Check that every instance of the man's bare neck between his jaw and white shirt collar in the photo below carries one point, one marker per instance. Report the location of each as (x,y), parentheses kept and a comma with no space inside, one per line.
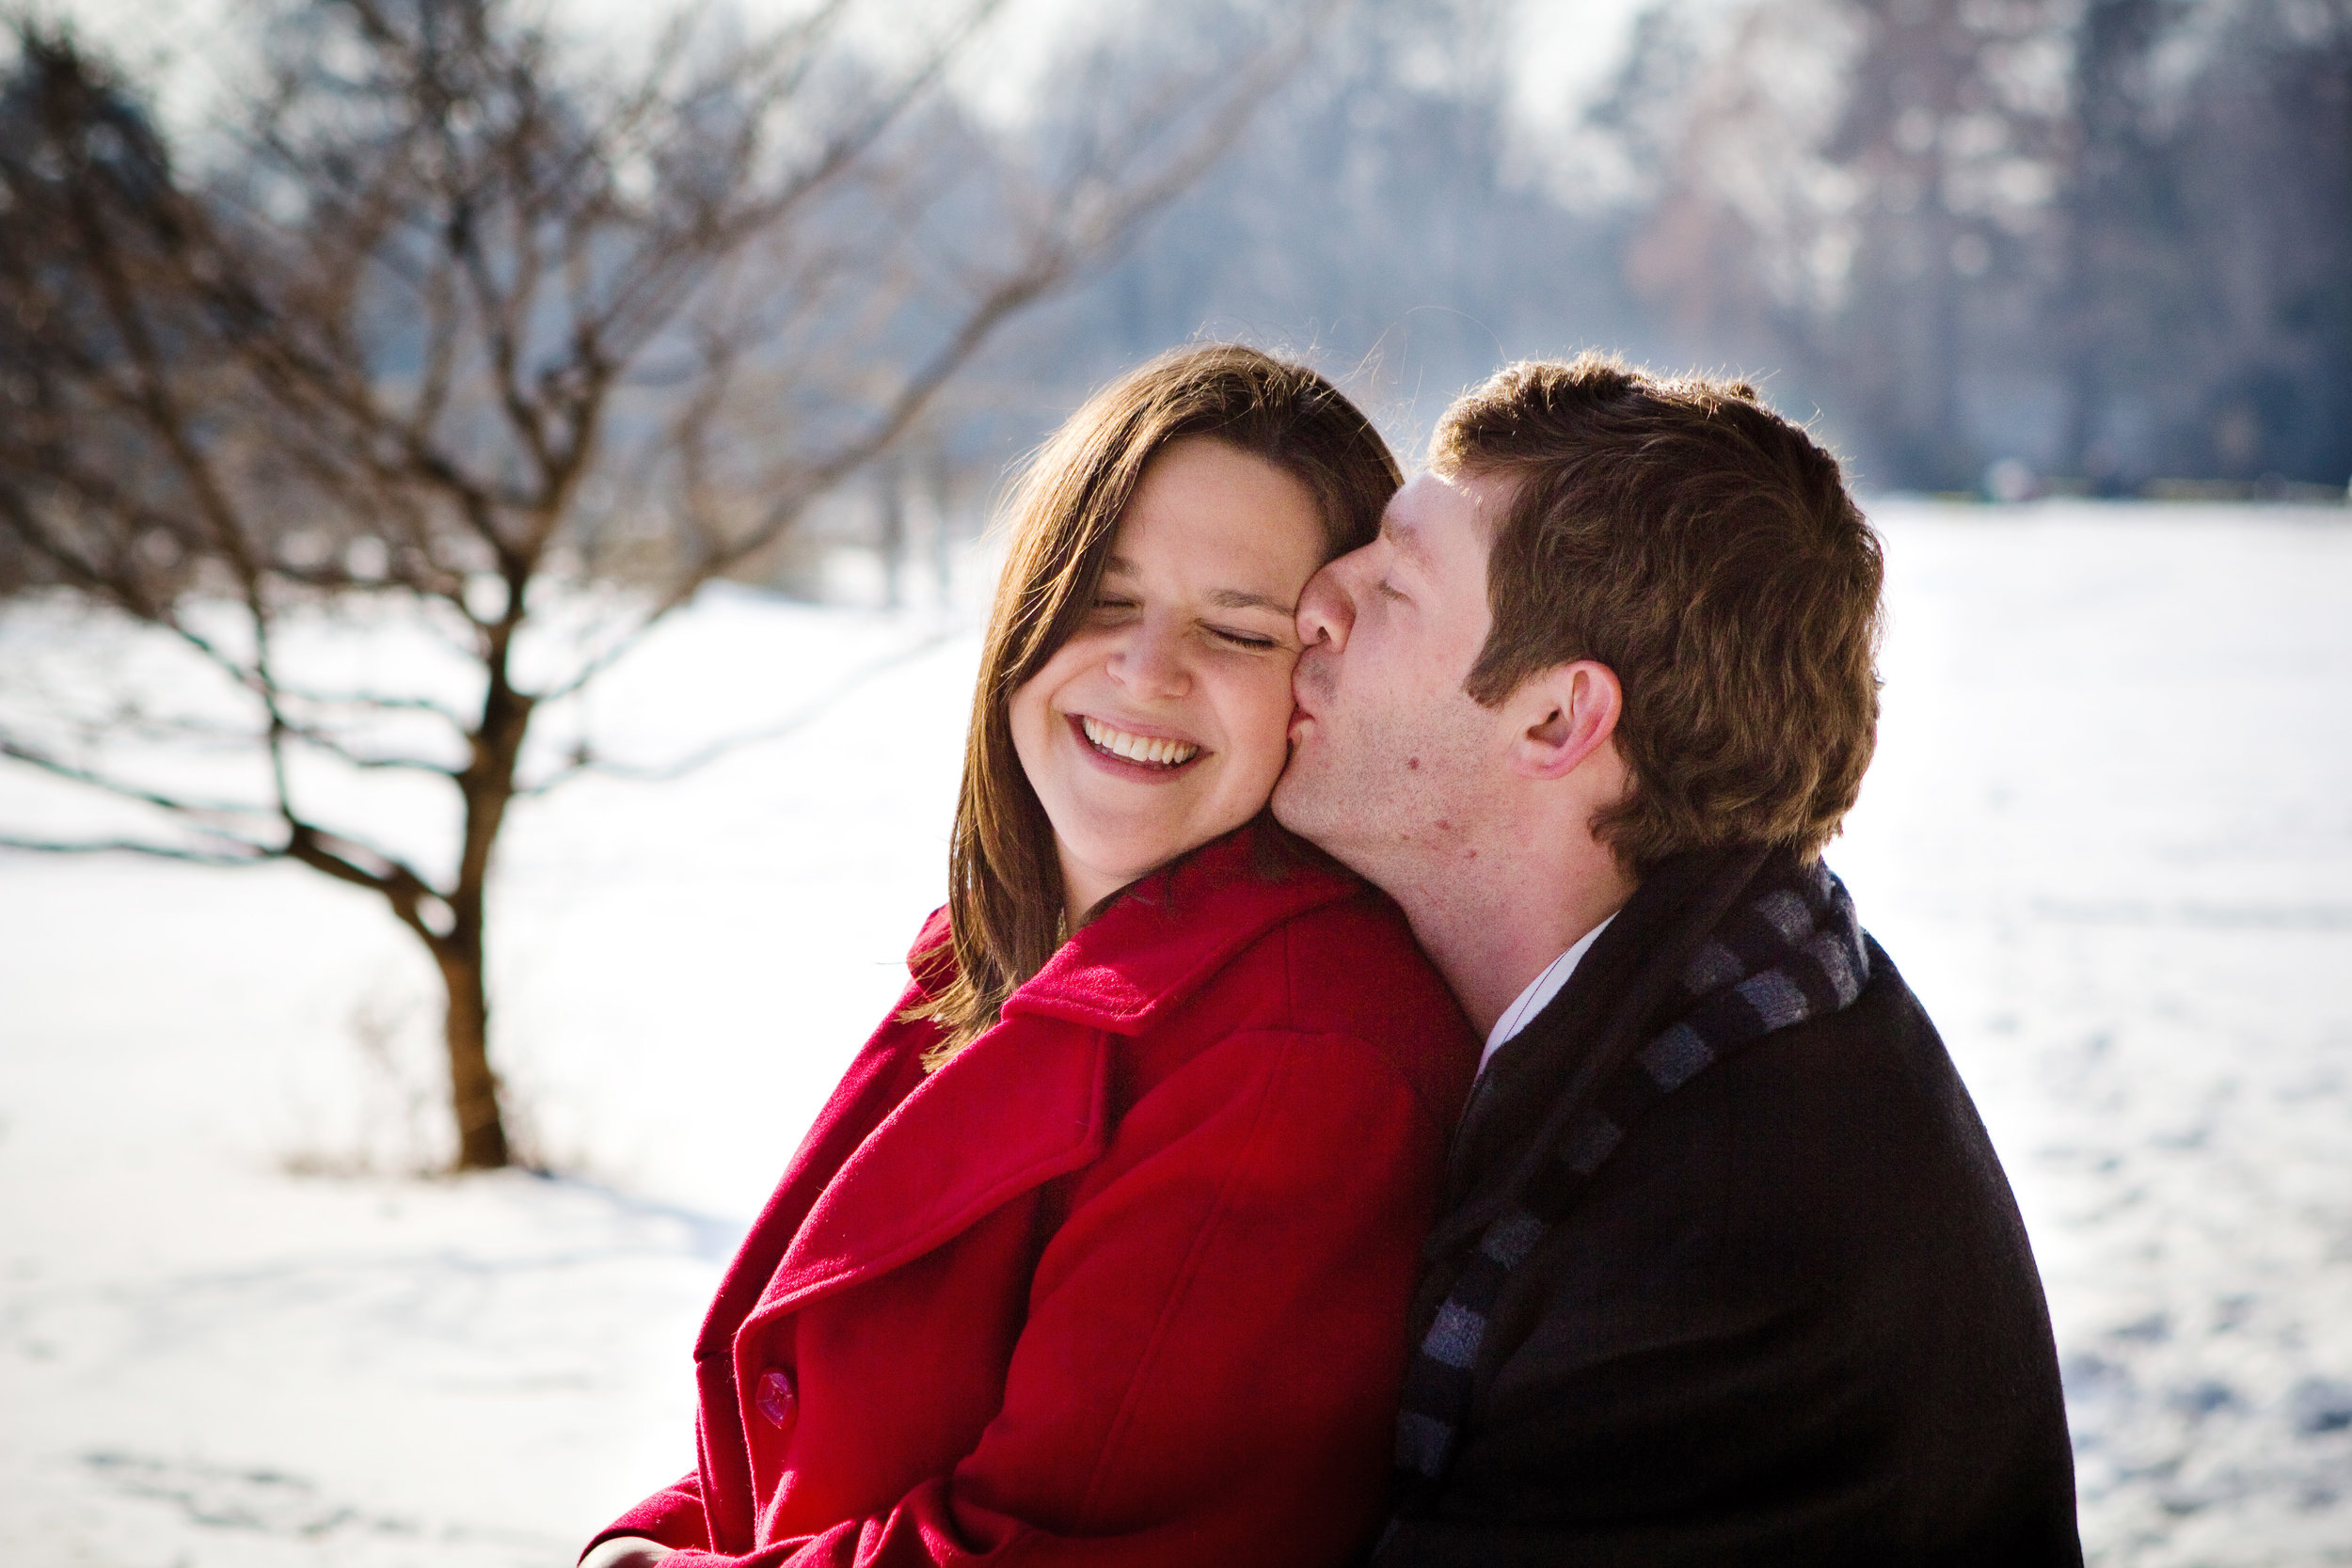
(1495,934)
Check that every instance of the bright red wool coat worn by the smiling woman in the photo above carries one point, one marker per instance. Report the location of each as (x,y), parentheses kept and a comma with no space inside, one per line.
(1125,1282)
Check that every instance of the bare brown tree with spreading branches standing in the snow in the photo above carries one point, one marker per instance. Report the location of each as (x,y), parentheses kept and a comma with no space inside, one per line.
(457,333)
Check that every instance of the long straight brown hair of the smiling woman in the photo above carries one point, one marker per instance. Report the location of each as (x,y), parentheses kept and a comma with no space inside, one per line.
(1005,897)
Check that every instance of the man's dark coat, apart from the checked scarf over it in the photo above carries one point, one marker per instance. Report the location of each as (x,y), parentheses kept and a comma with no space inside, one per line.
(1793,1318)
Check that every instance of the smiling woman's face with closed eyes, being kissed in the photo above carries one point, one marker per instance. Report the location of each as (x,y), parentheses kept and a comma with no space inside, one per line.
(1163,721)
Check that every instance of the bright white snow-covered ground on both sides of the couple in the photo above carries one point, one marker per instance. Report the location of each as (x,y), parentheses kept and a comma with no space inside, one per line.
(2109,838)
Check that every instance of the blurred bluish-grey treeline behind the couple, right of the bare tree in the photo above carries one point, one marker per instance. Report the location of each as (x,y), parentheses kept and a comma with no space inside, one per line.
(2094,246)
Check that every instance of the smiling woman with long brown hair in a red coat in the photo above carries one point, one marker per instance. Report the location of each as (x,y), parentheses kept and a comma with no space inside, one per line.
(1102,1249)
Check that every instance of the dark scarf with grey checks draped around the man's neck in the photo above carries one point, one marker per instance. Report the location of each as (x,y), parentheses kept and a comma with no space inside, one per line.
(1791,951)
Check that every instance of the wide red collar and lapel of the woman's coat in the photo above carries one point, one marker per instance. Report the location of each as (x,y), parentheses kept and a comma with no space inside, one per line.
(1027,1101)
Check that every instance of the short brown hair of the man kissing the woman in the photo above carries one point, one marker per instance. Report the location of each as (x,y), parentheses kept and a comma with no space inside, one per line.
(1704,549)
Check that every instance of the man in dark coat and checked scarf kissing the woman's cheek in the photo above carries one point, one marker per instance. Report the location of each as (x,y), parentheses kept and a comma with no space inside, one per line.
(1728,1271)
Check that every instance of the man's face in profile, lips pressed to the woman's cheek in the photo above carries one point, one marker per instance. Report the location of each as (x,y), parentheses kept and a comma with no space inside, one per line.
(1391,760)
